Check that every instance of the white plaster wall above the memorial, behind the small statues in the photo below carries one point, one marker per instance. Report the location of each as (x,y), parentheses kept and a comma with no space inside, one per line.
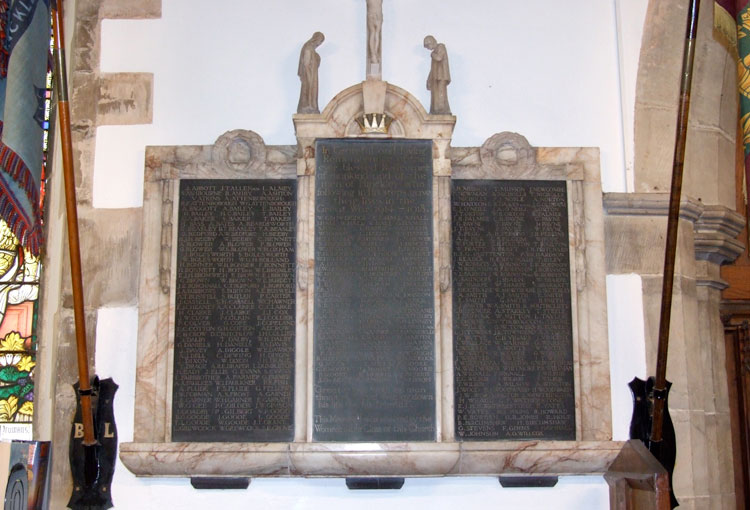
(546,69)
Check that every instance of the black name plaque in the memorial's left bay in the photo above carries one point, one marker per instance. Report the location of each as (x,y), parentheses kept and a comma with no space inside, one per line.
(235,311)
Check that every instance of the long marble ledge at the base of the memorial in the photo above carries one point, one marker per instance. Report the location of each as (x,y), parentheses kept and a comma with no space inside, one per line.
(549,458)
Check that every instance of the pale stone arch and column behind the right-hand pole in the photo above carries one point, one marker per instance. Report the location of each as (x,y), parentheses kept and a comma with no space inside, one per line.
(705,237)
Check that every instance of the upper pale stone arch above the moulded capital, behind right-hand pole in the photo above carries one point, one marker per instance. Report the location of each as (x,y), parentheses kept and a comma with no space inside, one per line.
(710,154)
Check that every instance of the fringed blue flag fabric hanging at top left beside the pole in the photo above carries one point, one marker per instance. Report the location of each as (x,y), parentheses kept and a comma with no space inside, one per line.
(24,58)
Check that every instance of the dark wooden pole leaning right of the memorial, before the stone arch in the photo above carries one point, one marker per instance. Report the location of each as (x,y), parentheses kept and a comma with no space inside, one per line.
(660,384)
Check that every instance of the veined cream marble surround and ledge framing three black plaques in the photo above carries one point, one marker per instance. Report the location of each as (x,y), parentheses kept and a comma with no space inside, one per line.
(242,154)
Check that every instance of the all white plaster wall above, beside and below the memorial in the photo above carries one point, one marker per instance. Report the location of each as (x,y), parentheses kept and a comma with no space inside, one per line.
(549,70)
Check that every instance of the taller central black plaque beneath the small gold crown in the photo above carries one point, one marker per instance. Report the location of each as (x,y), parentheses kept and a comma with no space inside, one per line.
(374,343)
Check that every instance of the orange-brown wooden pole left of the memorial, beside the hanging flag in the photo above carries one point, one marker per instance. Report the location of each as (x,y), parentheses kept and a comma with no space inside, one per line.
(84,385)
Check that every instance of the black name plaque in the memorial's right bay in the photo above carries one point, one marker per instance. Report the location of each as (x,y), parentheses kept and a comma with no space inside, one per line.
(512,325)
